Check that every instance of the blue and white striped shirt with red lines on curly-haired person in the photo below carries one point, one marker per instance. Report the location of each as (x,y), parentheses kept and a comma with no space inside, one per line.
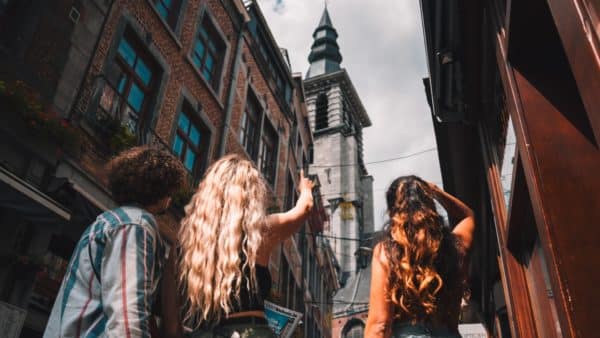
(109,285)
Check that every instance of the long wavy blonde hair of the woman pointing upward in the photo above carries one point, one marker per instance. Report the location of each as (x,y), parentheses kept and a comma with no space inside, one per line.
(223,223)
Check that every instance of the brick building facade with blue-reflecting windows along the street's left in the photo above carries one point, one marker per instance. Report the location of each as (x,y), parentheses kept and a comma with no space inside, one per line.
(200,78)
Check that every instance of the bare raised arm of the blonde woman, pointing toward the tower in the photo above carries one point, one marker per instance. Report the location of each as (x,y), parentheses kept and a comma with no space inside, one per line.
(285,224)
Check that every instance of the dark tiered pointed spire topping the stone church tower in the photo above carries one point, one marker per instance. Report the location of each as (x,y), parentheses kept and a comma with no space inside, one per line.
(325,54)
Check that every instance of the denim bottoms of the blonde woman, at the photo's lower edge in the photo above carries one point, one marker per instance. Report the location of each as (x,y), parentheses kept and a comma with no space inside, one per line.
(251,329)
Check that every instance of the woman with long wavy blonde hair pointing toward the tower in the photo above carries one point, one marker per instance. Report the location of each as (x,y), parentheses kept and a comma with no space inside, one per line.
(226,239)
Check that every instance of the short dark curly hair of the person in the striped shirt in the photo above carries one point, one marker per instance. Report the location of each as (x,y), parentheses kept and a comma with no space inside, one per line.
(144,175)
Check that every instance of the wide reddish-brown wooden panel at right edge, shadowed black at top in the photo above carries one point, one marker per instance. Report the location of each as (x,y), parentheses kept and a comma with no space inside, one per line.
(561,162)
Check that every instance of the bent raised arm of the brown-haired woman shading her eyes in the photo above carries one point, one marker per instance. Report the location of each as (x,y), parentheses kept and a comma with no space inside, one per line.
(458,210)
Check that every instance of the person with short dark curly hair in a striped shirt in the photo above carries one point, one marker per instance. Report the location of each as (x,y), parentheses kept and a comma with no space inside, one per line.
(111,280)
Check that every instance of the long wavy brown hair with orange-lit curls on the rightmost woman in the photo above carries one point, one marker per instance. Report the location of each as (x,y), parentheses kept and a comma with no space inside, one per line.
(422,252)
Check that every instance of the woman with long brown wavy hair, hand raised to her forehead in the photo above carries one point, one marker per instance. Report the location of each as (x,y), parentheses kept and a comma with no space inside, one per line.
(419,267)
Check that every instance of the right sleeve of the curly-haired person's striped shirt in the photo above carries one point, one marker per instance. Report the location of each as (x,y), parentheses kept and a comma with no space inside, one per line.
(128,280)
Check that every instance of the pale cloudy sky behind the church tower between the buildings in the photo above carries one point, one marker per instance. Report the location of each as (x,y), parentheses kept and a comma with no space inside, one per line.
(381,42)
